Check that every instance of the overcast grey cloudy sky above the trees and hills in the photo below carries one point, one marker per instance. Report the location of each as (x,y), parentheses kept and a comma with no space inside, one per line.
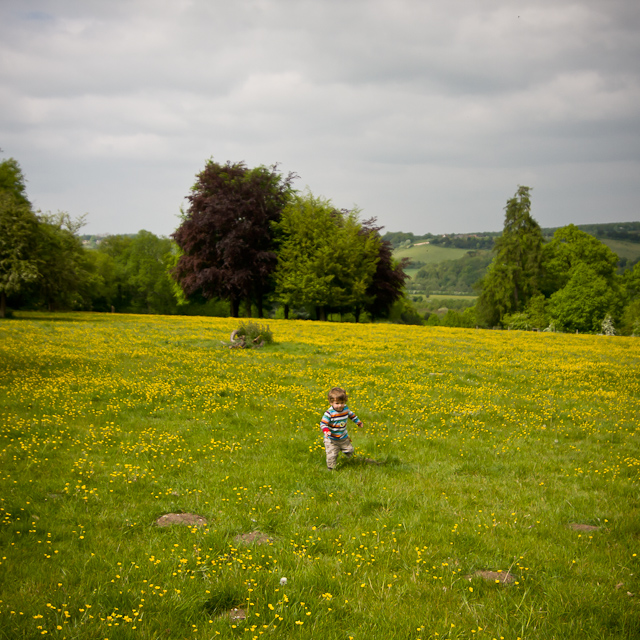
(427,114)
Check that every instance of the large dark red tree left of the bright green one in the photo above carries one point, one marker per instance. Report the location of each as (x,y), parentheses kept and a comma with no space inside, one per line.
(226,235)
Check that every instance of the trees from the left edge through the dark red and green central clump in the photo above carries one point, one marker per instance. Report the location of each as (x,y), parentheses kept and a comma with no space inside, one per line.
(247,244)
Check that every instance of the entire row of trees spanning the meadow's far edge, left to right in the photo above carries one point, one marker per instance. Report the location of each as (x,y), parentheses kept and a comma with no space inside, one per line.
(250,244)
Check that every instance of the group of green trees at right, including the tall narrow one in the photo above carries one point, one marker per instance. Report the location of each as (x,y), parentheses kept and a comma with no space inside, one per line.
(570,283)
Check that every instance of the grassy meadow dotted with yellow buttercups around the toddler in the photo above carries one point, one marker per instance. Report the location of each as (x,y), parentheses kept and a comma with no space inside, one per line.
(495,491)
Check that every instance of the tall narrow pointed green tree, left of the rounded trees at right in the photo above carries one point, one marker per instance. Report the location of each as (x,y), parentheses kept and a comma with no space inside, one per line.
(514,275)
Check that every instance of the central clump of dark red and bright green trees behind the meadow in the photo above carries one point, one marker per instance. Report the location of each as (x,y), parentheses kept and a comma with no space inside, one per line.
(249,237)
